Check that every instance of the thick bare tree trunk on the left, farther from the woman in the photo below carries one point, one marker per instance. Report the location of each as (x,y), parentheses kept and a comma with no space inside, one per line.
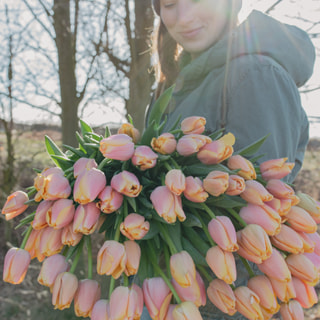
(68,83)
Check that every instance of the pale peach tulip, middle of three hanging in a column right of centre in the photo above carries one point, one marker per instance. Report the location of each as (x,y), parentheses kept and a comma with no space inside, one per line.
(222,264)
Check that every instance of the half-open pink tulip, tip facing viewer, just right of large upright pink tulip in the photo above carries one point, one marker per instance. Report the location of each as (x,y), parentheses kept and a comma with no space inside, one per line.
(126,183)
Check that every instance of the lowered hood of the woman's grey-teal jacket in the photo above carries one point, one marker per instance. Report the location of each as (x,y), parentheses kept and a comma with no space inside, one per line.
(288,45)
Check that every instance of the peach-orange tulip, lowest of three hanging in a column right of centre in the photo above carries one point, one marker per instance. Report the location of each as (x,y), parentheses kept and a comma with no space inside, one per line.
(222,296)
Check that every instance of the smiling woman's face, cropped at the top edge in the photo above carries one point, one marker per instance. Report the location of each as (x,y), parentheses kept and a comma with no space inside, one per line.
(195,24)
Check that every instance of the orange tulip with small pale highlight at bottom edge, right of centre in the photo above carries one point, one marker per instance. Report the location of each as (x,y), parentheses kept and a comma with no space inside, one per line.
(247,303)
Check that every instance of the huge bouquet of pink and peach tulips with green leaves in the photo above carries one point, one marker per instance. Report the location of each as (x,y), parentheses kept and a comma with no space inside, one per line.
(177,209)
